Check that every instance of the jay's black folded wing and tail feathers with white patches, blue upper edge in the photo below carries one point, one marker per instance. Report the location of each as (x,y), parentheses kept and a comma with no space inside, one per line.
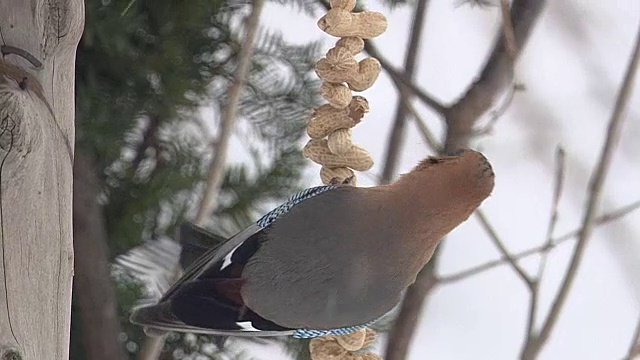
(206,299)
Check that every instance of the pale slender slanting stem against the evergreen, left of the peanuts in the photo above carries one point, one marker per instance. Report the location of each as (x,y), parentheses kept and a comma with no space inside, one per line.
(153,346)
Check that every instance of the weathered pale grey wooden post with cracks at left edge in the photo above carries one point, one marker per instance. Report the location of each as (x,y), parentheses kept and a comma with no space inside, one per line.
(38,40)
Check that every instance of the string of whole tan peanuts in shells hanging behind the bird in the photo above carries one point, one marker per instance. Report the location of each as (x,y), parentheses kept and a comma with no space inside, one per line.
(330,131)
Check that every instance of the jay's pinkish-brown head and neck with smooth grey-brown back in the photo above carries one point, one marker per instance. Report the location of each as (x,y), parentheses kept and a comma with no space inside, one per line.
(346,256)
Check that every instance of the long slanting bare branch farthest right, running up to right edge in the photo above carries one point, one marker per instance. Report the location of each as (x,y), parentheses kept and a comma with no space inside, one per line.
(535,344)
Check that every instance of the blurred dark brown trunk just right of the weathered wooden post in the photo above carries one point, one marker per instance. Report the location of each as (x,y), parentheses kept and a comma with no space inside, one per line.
(93,289)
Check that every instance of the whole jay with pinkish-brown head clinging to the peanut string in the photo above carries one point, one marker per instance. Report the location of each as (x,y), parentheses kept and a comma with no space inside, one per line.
(331,260)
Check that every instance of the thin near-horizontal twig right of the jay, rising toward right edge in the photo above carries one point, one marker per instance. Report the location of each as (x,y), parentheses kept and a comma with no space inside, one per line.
(601,220)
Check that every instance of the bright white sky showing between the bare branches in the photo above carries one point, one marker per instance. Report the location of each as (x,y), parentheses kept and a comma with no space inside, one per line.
(572,68)
